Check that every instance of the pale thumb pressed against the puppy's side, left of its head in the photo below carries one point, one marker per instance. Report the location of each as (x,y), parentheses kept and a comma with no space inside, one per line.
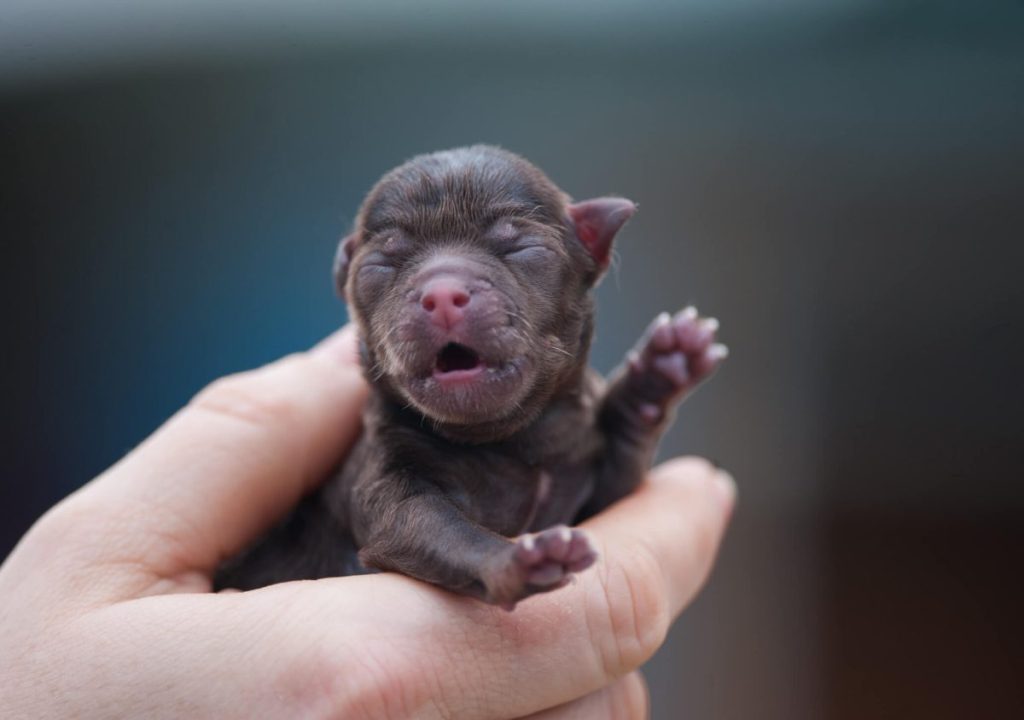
(224,469)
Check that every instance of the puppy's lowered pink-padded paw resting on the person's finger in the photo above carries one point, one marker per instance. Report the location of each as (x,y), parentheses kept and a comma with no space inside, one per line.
(539,563)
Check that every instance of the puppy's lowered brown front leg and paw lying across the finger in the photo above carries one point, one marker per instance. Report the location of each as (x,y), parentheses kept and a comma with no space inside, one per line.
(429,538)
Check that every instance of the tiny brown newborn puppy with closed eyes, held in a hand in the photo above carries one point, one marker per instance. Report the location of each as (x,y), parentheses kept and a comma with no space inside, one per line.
(470,276)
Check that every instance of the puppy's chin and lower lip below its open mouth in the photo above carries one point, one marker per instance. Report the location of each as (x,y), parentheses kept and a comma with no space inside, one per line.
(466,393)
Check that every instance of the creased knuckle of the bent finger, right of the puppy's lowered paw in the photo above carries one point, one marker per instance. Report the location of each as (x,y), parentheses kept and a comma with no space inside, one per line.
(638,613)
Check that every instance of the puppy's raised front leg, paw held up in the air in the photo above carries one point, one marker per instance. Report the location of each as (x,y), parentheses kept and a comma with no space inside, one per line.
(671,359)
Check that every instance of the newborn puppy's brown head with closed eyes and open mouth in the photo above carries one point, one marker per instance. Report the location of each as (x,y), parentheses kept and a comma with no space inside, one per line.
(468,274)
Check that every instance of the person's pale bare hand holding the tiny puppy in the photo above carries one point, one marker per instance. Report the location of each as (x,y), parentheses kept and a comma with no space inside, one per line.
(106,608)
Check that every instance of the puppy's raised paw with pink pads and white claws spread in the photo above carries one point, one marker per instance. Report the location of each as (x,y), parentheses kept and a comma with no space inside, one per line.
(675,354)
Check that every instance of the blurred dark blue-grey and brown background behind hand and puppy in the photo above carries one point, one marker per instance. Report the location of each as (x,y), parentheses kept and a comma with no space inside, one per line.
(840,182)
